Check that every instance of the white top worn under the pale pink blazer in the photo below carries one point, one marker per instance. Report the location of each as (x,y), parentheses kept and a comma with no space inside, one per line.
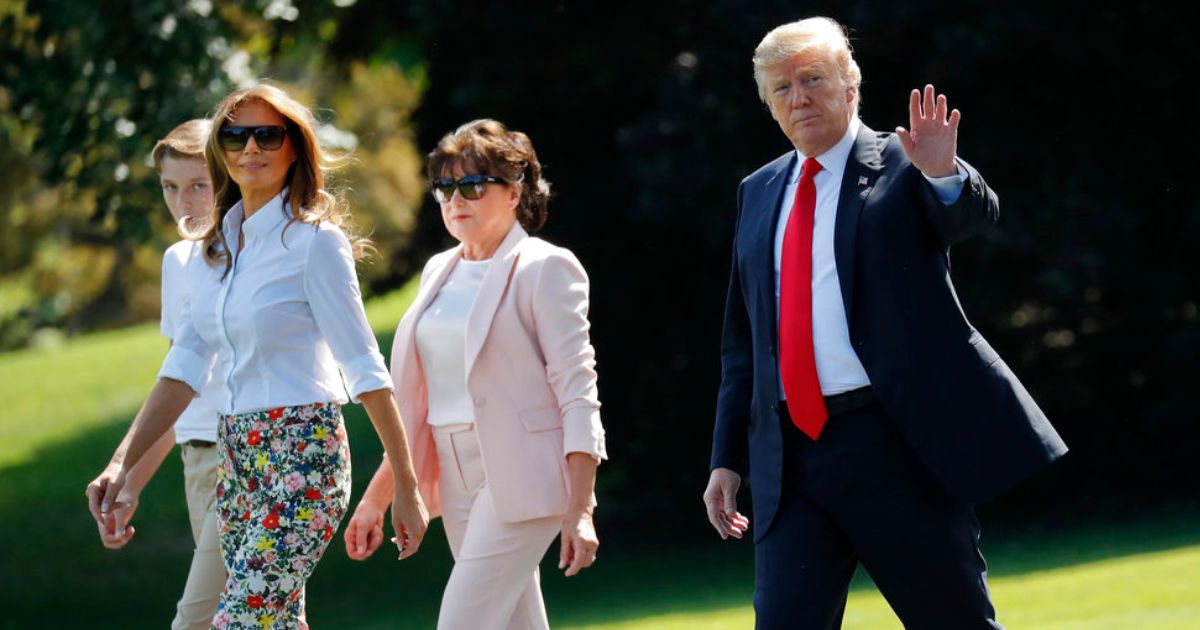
(441,345)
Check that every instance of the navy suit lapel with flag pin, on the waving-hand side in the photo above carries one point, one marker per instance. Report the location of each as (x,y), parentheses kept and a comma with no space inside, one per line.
(862,171)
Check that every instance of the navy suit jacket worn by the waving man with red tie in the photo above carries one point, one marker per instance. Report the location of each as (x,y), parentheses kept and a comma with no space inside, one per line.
(950,394)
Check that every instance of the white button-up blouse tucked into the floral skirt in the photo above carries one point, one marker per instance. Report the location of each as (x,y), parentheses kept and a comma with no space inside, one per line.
(283,322)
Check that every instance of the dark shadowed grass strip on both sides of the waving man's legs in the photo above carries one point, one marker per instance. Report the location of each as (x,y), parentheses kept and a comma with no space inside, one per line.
(645,580)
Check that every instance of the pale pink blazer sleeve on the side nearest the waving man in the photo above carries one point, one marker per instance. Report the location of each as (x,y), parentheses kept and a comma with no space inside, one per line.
(561,313)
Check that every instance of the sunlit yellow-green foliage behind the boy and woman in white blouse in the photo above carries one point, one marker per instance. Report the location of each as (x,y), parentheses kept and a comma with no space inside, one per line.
(89,88)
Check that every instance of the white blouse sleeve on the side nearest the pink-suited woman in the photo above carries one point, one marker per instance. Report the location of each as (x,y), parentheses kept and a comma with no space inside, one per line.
(337,303)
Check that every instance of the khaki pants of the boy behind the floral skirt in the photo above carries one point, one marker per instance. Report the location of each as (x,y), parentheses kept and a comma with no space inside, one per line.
(207,577)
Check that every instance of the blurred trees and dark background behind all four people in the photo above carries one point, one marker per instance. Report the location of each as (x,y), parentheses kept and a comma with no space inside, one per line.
(646,119)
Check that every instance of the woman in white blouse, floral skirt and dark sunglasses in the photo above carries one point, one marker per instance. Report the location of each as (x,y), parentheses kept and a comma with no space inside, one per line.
(275,302)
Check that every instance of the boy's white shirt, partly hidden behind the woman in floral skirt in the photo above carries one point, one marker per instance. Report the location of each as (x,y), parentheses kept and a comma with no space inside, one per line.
(200,421)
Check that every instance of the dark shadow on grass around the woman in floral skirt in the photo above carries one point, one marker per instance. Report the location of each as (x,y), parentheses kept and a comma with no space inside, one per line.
(56,574)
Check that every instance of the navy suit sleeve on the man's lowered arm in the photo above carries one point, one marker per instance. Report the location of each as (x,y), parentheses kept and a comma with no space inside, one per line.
(731,430)
